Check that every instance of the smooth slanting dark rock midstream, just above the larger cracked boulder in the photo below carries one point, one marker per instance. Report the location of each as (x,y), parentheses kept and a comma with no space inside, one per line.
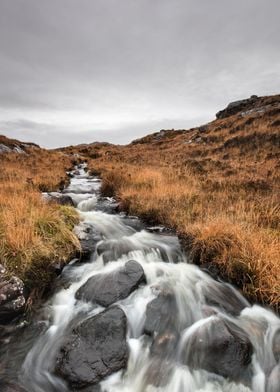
(105,289)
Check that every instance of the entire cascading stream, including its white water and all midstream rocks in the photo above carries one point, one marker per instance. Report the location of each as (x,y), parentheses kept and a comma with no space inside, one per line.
(132,315)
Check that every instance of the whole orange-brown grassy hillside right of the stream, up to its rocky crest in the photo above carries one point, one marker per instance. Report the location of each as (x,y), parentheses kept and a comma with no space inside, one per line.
(217,185)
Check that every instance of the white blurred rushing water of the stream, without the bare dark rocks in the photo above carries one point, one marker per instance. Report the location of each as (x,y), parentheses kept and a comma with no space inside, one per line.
(188,284)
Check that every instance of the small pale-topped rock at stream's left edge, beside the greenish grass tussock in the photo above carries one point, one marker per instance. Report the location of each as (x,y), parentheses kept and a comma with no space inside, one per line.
(88,237)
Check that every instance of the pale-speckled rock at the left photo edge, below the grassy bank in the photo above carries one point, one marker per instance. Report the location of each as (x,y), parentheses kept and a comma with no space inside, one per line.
(12,301)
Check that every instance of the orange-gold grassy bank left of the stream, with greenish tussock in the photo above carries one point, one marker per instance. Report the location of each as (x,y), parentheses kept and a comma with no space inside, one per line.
(34,235)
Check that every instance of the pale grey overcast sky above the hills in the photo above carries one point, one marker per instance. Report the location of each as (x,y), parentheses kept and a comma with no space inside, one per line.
(74,71)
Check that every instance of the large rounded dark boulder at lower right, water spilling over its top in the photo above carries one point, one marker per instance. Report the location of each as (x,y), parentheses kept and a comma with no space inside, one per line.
(219,347)
